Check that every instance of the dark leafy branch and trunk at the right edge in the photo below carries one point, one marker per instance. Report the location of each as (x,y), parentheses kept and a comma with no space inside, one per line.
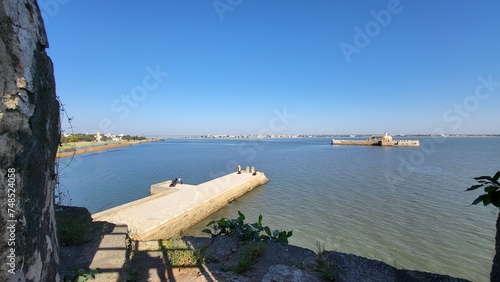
(491,196)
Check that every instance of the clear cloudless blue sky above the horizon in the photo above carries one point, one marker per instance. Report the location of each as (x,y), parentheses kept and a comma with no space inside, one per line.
(184,67)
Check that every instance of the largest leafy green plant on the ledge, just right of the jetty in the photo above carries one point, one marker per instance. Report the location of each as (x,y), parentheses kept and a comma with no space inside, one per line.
(247,232)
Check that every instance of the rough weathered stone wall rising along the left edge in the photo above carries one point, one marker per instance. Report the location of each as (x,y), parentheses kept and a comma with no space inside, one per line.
(29,135)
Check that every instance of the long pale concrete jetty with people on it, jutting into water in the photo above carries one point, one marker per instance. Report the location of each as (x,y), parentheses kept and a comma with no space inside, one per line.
(169,211)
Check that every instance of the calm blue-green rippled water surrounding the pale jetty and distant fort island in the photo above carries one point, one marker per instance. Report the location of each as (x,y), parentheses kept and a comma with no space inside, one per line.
(404,206)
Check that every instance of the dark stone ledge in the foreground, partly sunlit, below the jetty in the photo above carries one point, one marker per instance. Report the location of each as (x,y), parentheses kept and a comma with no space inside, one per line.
(222,258)
